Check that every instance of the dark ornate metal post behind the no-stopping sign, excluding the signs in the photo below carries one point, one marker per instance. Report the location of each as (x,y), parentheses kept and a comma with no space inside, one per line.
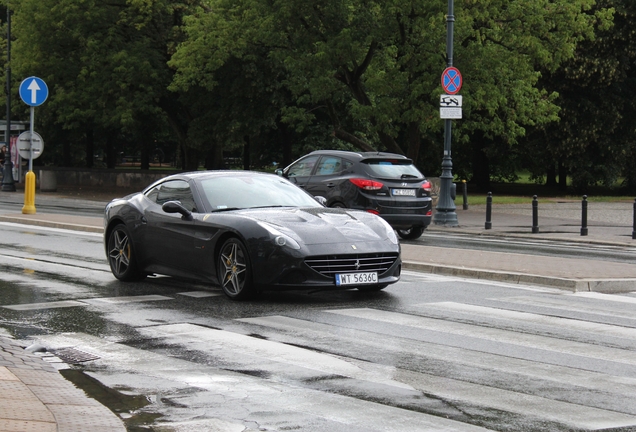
(445,211)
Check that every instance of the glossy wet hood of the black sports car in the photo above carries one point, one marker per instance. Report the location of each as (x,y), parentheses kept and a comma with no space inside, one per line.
(317,225)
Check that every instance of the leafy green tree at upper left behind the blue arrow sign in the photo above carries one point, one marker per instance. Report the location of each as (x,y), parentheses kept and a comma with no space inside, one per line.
(105,64)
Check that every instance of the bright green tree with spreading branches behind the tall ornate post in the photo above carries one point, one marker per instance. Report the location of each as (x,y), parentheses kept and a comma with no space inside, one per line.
(373,68)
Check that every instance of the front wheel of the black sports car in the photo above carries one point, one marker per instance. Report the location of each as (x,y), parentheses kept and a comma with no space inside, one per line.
(234,270)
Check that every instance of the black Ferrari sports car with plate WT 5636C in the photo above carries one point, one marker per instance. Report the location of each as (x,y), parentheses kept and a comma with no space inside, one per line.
(247,232)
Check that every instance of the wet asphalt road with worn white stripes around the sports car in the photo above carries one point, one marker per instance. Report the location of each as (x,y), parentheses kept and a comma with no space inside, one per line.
(429,353)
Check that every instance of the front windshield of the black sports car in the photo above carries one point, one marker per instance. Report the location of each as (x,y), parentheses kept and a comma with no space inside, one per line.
(249,191)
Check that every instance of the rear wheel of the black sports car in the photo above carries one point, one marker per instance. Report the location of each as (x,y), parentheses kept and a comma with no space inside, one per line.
(121,255)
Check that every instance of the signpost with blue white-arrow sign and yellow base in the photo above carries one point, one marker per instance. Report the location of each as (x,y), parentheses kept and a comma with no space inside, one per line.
(33,92)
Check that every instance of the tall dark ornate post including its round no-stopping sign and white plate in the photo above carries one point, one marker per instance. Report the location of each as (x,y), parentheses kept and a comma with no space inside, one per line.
(450,108)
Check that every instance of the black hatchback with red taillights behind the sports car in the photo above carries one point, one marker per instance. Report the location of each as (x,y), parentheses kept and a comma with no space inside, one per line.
(385,184)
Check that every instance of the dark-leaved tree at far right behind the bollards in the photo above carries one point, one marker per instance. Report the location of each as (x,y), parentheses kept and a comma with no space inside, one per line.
(593,142)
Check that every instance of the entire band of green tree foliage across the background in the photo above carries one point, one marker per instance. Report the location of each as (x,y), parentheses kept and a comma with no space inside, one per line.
(273,79)
